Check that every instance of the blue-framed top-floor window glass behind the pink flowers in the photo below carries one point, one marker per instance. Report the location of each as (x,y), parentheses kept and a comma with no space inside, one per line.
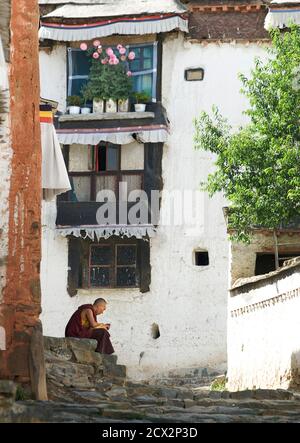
(143,68)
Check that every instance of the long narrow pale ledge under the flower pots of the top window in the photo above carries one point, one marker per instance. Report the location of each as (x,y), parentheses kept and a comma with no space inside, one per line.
(105,116)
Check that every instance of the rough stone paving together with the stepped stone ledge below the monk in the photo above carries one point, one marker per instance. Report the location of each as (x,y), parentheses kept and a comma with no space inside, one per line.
(85,387)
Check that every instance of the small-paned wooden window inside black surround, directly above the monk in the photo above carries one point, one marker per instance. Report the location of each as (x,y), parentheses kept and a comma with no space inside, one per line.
(113,265)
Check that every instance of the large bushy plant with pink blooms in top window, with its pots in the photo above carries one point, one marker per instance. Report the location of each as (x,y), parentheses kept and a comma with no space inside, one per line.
(110,82)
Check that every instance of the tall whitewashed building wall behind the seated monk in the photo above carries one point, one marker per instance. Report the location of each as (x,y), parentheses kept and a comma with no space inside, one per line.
(188,303)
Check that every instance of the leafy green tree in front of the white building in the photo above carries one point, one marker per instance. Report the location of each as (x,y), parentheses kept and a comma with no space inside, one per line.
(258,167)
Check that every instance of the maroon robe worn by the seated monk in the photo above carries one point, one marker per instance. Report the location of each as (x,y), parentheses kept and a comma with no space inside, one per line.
(75,329)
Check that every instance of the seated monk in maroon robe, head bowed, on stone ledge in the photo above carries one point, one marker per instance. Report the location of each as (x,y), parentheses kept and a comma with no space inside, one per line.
(83,324)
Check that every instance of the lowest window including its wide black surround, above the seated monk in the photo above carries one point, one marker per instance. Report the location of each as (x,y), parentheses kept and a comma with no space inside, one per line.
(112,263)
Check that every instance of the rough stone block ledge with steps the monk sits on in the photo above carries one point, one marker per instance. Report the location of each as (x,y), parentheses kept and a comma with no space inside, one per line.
(73,363)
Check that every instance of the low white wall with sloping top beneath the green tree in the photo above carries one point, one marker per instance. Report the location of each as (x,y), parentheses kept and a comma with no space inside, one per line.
(263,331)
